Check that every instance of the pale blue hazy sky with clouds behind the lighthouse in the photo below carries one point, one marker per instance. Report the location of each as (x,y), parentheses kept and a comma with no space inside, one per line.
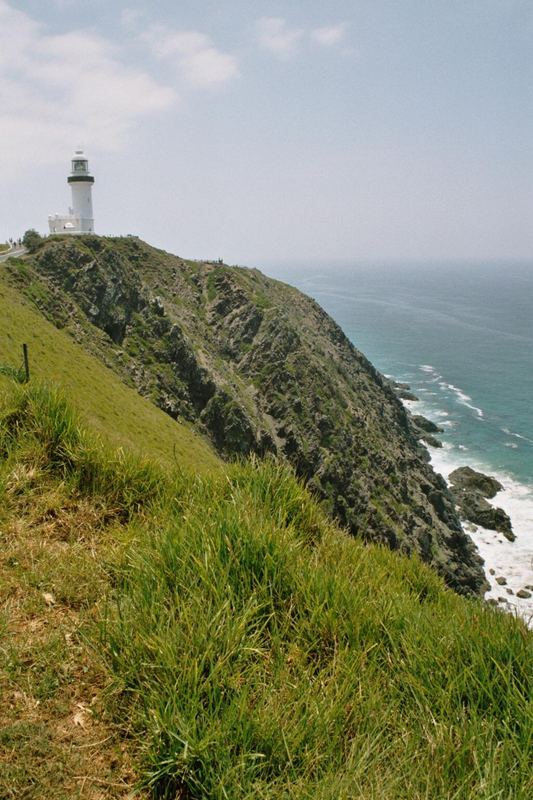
(264,131)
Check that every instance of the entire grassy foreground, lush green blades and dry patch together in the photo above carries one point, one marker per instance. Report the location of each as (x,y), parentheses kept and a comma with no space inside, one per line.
(249,649)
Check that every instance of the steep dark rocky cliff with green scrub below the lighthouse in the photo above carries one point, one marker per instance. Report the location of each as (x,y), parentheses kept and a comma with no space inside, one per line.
(260,368)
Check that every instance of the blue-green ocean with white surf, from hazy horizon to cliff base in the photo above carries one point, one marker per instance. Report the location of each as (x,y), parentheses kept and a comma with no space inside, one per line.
(461,335)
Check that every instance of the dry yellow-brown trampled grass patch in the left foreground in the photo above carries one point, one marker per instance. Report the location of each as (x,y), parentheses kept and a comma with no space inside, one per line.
(56,740)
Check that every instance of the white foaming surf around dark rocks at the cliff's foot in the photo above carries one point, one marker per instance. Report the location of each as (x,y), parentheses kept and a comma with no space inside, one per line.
(510,560)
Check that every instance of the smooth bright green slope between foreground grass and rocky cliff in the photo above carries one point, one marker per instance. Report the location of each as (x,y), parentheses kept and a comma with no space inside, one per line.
(117,413)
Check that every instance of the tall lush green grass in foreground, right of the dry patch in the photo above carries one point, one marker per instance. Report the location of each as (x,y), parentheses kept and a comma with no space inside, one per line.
(292,662)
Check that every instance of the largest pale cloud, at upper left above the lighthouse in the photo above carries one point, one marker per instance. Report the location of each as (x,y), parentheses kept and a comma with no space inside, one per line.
(61,90)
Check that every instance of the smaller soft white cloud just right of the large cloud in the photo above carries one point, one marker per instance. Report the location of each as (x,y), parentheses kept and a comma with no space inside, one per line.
(193,54)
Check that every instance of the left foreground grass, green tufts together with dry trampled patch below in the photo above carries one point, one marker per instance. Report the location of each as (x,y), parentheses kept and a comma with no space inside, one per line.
(63,504)
